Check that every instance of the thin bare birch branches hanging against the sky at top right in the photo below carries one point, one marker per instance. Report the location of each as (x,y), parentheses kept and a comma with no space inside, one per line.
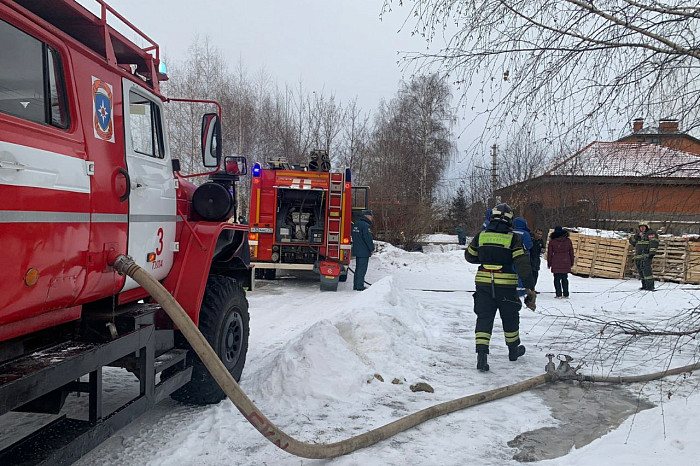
(574,67)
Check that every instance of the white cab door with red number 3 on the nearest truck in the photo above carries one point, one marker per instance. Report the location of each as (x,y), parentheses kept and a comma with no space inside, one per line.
(152,208)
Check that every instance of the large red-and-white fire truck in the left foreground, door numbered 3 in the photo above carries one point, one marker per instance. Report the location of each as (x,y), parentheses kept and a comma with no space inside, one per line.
(86,176)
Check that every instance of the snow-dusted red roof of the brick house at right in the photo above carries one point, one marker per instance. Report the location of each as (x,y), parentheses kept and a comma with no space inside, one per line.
(629,159)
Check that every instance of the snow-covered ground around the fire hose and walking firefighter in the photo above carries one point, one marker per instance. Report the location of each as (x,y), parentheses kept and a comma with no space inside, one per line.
(313,358)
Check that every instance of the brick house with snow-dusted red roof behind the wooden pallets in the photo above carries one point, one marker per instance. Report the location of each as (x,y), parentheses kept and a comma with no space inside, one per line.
(612,185)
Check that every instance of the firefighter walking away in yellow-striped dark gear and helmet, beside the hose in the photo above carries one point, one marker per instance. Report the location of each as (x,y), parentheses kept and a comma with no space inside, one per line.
(497,249)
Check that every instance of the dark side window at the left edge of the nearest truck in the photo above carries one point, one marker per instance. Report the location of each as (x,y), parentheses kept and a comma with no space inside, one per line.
(32,85)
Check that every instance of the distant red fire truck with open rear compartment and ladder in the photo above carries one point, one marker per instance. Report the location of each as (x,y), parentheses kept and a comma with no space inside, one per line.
(300,219)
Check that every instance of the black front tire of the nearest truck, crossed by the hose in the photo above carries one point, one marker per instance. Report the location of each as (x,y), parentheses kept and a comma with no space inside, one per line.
(224,322)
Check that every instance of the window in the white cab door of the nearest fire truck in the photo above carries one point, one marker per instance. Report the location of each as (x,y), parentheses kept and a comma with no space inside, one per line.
(145,126)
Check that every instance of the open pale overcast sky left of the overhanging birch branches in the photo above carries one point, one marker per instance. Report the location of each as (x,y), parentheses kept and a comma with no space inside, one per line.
(335,46)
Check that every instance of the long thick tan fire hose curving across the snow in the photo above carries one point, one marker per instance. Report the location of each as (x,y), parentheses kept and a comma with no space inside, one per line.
(126,266)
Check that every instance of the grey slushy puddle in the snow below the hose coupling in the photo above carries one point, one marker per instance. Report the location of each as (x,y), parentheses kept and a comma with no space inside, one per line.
(585,413)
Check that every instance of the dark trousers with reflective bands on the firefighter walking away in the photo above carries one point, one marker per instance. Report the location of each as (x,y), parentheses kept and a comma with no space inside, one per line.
(486,303)
